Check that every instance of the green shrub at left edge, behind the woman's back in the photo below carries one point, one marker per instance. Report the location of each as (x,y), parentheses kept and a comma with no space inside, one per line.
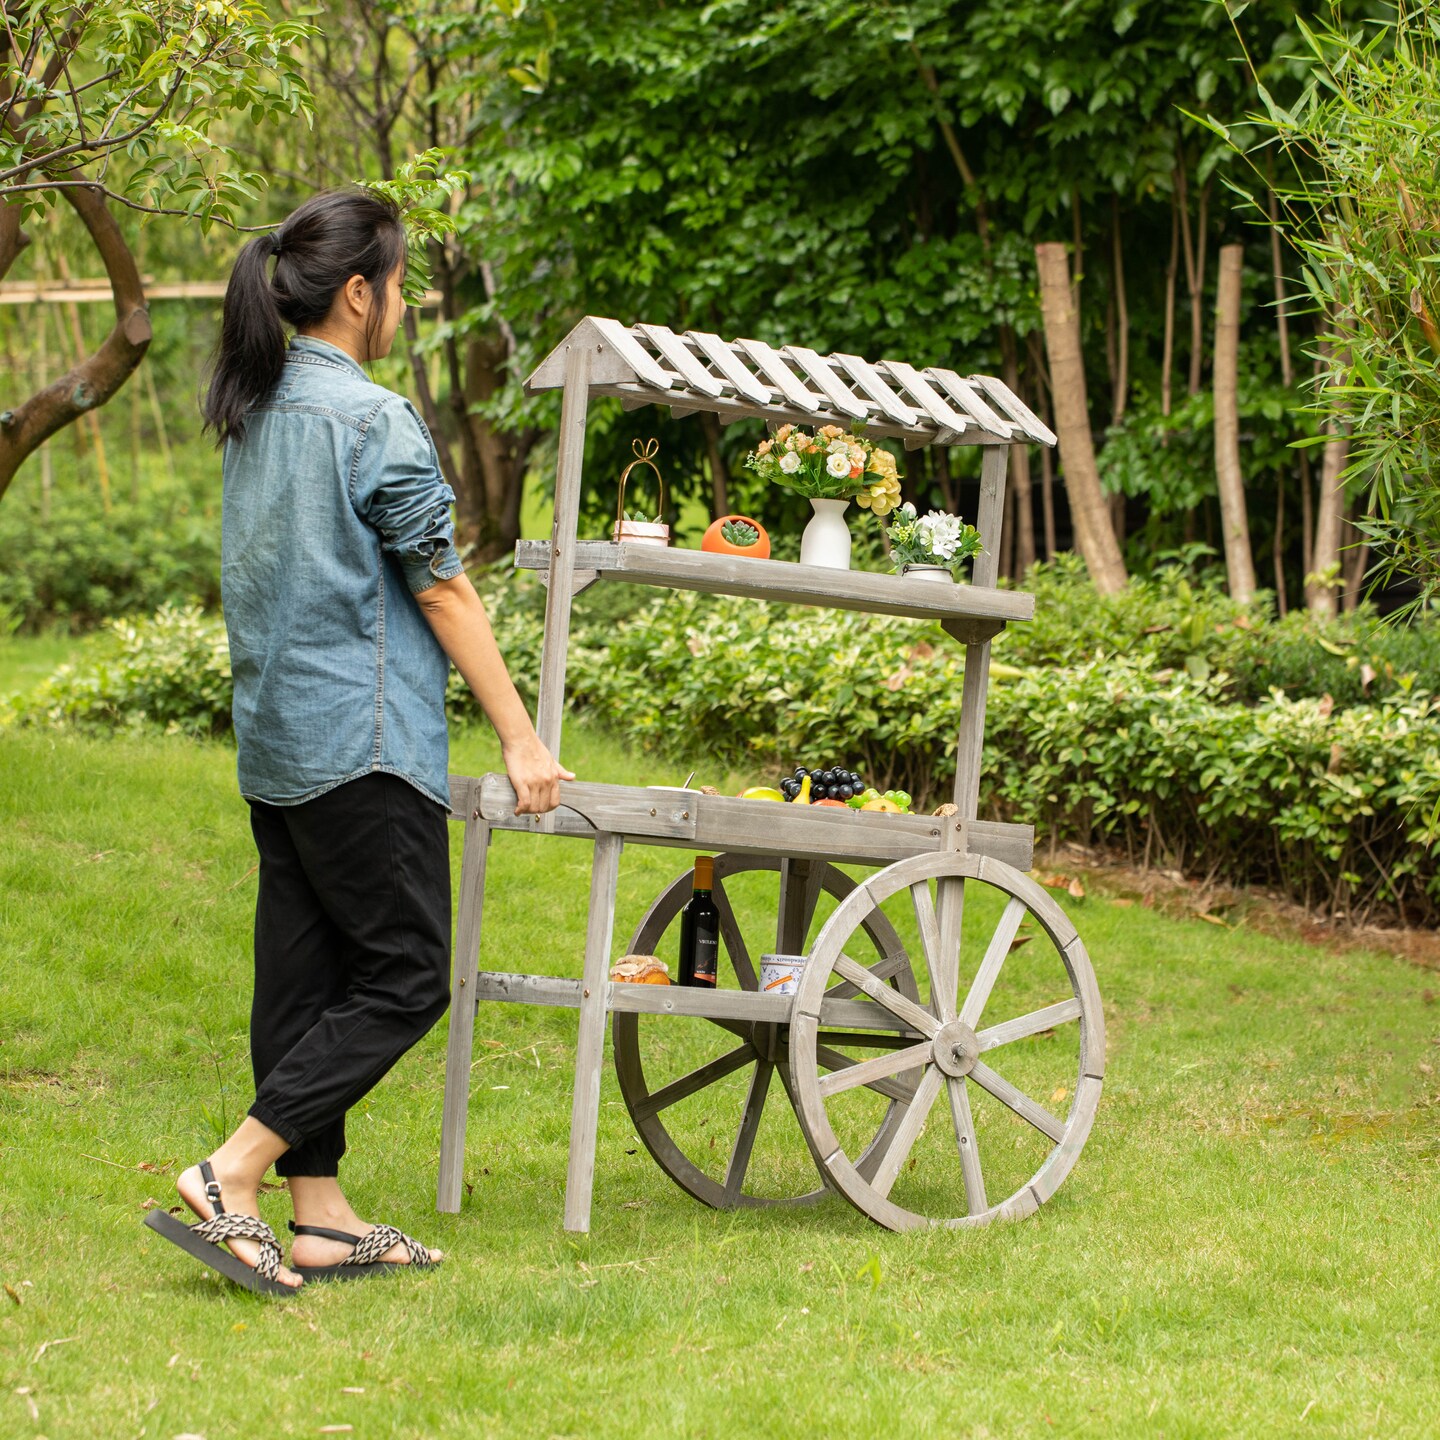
(83,567)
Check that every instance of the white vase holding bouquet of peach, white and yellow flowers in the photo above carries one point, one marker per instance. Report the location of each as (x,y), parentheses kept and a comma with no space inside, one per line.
(830,469)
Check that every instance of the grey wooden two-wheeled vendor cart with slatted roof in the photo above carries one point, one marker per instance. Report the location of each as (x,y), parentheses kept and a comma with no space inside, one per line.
(862,990)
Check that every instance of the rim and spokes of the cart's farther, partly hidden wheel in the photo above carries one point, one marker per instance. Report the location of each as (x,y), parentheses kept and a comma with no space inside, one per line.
(762,1048)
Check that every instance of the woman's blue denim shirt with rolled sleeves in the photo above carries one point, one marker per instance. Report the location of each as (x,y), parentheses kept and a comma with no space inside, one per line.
(335,516)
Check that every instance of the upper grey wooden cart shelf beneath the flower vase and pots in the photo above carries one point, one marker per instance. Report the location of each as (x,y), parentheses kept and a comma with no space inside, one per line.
(971,613)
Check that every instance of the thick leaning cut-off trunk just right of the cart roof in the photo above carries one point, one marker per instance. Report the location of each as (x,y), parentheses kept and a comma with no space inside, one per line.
(1088,503)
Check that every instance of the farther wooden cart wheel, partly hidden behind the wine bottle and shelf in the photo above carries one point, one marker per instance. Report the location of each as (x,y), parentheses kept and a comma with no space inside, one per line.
(731,1068)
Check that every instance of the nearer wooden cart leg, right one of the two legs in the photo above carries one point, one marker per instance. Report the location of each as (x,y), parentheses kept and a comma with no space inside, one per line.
(590,1048)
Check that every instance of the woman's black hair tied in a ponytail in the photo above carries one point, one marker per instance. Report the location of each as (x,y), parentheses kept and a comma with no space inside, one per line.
(318,250)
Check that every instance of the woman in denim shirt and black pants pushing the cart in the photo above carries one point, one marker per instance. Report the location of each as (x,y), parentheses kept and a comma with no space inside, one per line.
(346,604)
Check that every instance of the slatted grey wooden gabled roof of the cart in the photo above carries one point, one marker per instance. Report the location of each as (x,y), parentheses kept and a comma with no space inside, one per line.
(735,379)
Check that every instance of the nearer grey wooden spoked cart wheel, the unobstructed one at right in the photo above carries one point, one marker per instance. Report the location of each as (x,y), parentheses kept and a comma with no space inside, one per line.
(928,1170)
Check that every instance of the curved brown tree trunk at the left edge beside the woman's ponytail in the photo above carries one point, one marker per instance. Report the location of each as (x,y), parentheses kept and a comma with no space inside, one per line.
(97,377)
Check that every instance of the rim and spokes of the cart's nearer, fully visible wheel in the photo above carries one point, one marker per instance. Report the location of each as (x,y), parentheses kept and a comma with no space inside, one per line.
(948,1048)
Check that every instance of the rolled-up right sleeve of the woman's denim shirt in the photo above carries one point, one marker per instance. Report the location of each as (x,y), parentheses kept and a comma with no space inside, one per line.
(398,489)
